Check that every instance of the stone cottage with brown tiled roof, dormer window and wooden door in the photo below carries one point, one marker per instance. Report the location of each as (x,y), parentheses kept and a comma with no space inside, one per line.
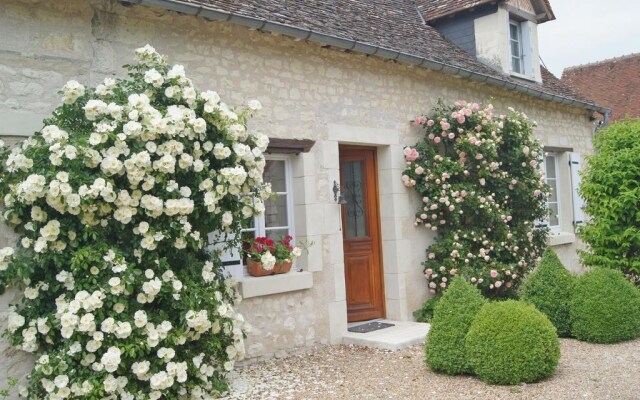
(339,82)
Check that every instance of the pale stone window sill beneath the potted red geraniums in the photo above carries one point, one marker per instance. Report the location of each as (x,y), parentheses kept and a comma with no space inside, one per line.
(252,286)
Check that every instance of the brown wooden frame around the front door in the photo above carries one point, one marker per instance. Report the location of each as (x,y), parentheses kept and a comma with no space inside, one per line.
(375,216)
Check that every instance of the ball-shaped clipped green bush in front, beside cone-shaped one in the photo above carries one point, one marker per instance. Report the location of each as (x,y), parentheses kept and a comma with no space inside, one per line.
(512,342)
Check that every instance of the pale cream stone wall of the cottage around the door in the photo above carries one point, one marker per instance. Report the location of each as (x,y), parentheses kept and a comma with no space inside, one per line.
(305,91)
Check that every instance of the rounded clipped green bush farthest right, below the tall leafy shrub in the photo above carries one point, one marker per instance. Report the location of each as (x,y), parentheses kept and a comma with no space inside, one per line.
(605,308)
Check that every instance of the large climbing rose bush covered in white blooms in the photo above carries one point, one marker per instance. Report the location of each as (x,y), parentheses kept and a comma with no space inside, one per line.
(112,200)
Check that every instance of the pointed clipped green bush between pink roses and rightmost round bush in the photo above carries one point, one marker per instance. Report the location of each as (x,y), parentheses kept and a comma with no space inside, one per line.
(549,288)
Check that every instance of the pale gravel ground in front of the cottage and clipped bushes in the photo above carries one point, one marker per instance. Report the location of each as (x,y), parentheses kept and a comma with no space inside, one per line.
(586,371)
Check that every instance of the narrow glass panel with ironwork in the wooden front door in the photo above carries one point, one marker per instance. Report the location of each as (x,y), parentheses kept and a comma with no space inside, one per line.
(353,188)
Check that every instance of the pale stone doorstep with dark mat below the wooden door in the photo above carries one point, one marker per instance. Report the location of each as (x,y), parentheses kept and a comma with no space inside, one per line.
(403,334)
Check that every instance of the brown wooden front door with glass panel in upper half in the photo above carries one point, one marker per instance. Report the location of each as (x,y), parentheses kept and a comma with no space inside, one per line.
(361,233)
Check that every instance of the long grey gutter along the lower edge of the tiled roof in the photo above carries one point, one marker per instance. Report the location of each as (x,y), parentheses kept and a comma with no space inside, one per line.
(357,46)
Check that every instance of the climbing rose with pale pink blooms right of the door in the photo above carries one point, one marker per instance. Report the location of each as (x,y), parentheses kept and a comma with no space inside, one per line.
(480,184)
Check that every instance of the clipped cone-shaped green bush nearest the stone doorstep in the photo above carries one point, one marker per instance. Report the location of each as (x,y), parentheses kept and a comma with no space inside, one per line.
(453,315)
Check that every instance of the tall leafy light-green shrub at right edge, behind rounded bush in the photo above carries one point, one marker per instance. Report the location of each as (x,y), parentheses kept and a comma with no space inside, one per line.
(611,190)
